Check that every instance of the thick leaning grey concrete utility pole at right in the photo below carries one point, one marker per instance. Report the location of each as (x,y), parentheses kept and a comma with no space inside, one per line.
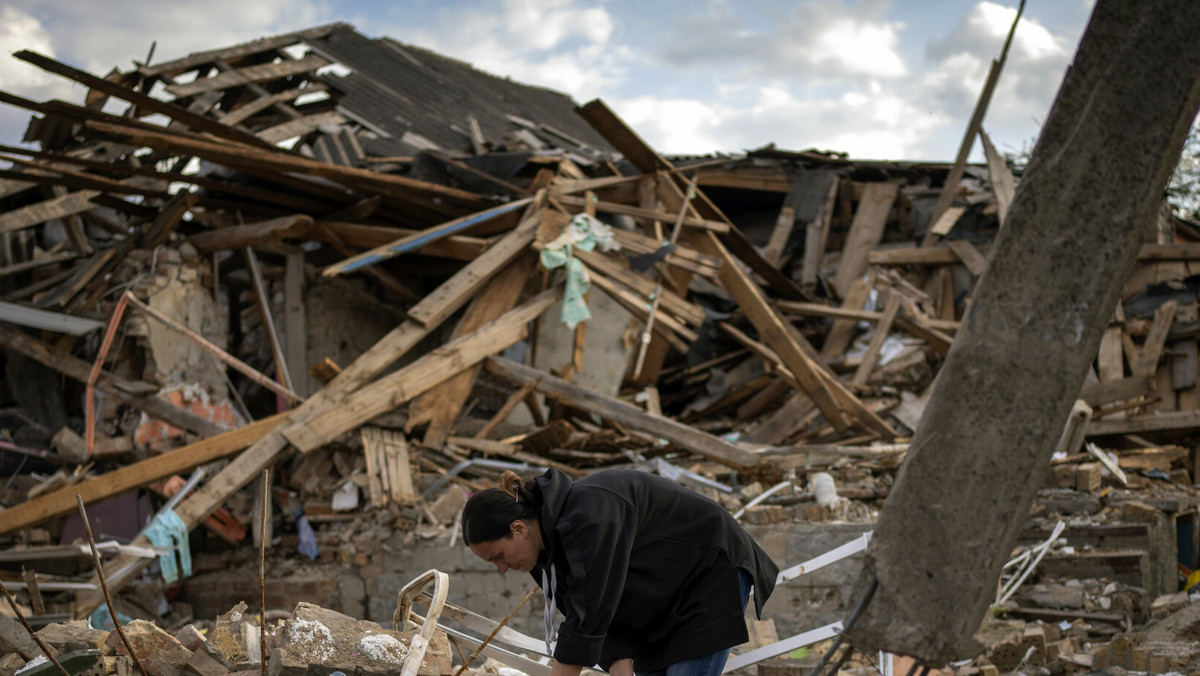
(1057,271)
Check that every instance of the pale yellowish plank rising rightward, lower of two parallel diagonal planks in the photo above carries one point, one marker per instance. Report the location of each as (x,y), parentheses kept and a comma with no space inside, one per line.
(430,370)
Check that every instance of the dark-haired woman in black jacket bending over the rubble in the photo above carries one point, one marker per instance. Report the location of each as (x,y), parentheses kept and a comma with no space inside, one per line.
(650,577)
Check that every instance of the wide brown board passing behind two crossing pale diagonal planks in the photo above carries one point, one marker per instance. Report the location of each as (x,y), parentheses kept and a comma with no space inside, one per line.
(440,408)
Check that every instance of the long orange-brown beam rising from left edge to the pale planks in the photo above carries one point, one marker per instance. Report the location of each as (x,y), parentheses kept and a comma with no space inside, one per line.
(131,477)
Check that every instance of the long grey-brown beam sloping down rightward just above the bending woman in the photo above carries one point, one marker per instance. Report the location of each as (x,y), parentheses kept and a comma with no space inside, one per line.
(626,414)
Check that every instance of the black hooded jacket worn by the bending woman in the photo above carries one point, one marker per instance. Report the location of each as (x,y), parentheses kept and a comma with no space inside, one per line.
(645,569)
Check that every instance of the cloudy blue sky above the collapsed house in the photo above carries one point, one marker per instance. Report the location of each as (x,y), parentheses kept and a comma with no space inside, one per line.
(879,80)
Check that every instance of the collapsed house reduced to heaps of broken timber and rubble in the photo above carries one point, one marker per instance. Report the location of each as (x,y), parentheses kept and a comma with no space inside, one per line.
(383,278)
